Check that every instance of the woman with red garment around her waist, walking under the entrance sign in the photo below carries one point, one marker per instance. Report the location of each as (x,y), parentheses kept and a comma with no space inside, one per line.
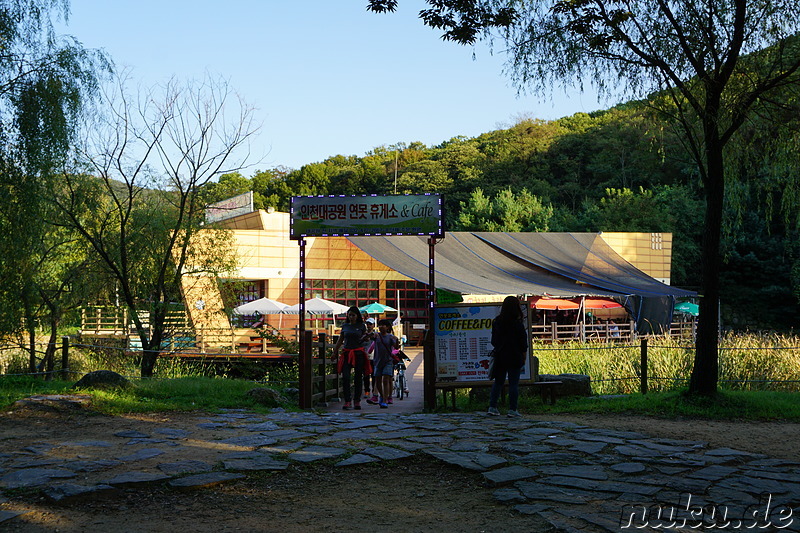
(353,356)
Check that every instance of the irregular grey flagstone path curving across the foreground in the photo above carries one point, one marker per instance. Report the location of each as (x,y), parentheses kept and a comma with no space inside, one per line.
(576,477)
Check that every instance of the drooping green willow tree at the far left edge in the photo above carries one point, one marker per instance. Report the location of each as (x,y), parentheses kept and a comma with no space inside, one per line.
(45,82)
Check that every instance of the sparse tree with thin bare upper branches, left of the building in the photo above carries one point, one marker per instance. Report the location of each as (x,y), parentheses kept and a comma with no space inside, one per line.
(139,206)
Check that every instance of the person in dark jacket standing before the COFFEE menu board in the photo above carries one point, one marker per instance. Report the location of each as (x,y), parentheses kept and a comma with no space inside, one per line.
(510,342)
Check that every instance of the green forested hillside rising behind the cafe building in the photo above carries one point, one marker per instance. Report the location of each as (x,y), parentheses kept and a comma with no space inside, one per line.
(622,169)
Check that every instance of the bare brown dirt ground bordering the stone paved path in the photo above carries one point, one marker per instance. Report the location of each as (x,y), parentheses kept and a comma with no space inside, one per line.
(417,494)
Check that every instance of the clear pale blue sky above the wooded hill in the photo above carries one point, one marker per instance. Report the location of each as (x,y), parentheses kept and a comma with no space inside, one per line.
(326,77)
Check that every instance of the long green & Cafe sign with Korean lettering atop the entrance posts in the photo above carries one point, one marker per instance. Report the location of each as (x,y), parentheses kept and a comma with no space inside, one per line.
(330,216)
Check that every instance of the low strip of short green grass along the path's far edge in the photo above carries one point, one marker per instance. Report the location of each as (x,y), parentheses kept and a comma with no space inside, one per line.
(212,394)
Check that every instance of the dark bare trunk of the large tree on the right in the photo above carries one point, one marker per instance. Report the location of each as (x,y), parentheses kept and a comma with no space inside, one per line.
(705,374)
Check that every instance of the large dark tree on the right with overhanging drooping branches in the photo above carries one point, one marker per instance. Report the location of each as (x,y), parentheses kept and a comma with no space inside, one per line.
(709,65)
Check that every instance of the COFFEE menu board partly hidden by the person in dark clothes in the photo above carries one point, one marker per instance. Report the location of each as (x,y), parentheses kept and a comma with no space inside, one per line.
(463,335)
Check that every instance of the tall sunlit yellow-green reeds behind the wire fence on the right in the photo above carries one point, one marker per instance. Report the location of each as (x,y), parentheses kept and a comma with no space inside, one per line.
(746,361)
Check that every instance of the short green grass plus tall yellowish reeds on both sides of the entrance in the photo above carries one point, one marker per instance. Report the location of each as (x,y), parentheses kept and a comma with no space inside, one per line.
(771,364)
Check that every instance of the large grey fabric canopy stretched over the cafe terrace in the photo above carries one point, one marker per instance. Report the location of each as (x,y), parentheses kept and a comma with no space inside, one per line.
(562,265)
